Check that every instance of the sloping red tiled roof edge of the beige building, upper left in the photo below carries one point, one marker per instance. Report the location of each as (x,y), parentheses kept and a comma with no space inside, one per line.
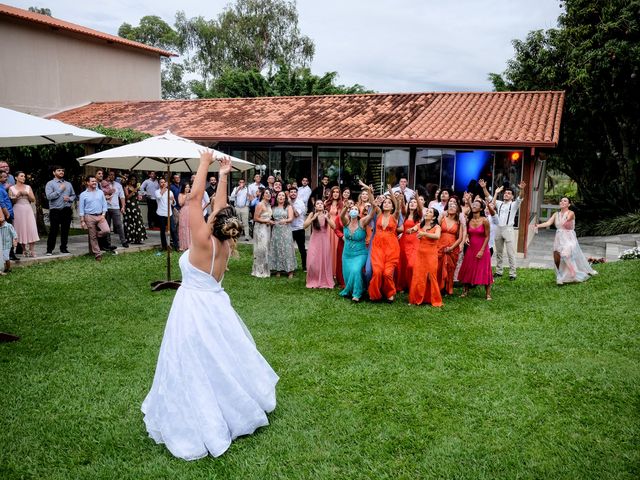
(55,24)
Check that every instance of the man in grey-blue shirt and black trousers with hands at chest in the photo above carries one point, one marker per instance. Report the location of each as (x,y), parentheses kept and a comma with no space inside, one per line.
(61,196)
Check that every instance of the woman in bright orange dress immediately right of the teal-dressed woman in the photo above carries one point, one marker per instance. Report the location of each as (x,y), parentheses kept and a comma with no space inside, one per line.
(385,250)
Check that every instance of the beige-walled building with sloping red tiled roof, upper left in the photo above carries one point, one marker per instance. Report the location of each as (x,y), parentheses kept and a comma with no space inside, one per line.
(49,65)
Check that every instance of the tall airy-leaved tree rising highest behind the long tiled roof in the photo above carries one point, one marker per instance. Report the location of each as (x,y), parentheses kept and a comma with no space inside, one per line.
(248,35)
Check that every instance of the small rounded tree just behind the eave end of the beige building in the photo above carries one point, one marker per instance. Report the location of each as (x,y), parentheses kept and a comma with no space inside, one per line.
(157,33)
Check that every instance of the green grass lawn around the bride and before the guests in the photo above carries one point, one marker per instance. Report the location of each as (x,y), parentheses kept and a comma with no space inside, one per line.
(543,382)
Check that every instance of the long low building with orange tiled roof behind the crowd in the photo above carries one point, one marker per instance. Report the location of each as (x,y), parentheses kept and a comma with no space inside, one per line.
(438,139)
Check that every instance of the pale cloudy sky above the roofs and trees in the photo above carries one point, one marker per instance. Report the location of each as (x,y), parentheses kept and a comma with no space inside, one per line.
(389,46)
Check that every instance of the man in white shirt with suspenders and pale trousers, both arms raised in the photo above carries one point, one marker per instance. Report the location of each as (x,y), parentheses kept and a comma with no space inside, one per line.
(506,210)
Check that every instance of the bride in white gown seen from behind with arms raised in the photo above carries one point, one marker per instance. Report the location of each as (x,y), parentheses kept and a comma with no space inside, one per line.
(211,384)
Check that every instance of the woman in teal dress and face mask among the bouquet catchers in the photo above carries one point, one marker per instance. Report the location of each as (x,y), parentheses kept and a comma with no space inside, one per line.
(355,252)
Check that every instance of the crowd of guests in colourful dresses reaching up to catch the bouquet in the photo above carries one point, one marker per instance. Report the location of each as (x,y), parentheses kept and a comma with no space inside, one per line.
(376,246)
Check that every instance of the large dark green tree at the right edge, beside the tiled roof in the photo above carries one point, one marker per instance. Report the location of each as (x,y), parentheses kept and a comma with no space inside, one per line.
(594,57)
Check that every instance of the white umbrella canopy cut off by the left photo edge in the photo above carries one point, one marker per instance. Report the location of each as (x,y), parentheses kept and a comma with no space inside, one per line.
(19,129)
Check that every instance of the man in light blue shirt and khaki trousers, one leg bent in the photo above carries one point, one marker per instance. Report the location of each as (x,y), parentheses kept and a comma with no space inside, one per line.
(92,208)
